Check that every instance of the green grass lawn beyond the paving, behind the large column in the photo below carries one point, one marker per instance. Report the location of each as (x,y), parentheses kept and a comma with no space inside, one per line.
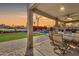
(14,36)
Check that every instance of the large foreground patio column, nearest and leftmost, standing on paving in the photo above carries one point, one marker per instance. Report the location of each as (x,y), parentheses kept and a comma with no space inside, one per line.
(29,49)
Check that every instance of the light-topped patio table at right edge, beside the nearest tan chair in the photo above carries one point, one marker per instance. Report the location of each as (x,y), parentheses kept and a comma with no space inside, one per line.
(72,39)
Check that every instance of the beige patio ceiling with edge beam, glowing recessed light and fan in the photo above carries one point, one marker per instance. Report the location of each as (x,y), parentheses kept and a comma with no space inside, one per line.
(64,12)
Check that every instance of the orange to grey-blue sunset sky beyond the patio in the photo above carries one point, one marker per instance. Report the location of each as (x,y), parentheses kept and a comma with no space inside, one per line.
(16,14)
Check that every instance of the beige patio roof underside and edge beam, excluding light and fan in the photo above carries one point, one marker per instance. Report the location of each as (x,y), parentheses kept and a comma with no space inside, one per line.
(53,11)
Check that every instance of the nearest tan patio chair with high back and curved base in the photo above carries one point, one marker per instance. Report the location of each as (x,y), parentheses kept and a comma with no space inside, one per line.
(60,47)
